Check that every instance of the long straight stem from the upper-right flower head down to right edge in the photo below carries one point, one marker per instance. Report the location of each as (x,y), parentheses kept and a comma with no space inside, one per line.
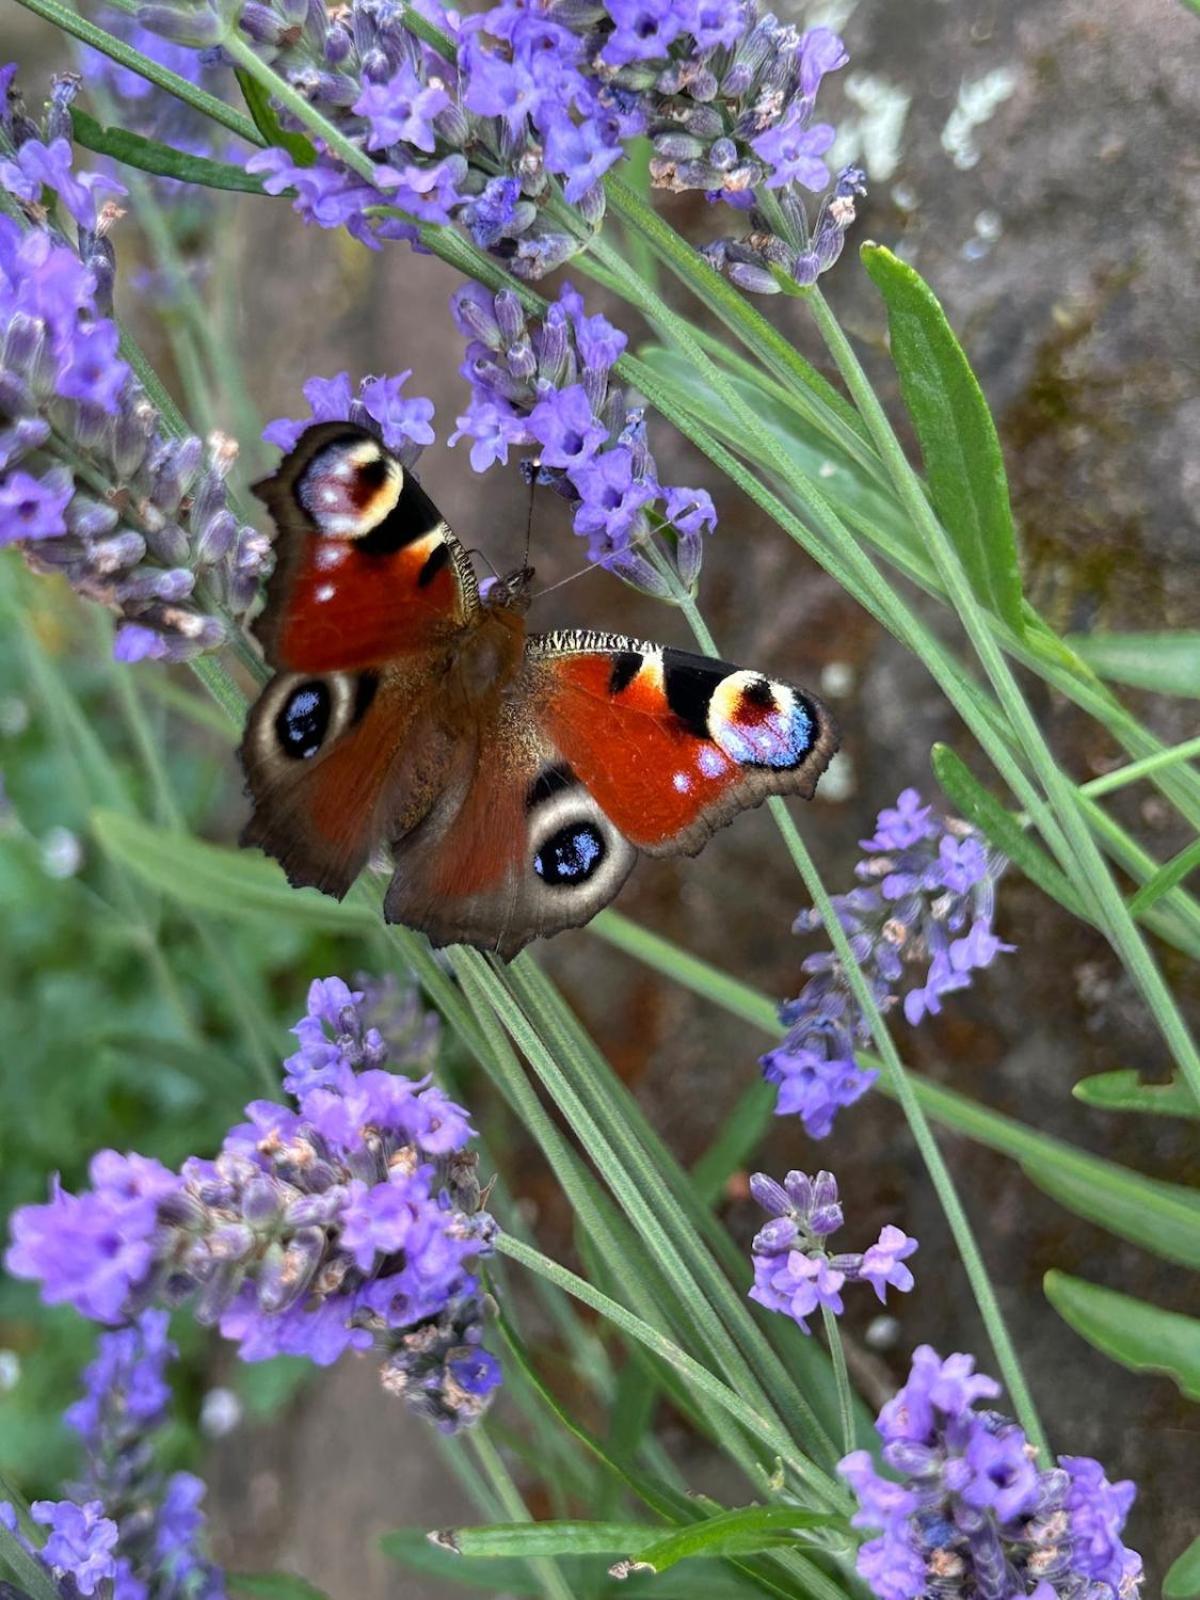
(1090,866)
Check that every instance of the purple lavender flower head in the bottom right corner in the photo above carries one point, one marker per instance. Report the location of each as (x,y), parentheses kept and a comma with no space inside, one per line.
(969,1511)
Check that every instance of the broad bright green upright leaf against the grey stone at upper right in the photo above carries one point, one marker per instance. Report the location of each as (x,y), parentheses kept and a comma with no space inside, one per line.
(964,465)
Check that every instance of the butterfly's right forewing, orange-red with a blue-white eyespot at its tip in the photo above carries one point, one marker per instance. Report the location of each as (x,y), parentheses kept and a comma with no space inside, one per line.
(670,745)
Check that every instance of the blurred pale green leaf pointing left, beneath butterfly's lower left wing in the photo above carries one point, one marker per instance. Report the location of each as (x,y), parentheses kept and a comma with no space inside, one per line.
(218,881)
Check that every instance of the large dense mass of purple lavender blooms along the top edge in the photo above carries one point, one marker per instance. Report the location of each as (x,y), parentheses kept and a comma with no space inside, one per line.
(482,121)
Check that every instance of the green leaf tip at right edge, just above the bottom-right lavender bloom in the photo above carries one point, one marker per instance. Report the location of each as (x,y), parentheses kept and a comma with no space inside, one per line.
(1130,1332)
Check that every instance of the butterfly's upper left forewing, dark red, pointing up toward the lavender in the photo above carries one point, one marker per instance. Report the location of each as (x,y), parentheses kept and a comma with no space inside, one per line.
(367,569)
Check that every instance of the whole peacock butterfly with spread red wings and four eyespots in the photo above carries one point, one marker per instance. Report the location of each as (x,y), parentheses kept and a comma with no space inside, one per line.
(516,777)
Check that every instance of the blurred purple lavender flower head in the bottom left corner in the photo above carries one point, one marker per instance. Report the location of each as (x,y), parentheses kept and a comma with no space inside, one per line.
(127,1529)
